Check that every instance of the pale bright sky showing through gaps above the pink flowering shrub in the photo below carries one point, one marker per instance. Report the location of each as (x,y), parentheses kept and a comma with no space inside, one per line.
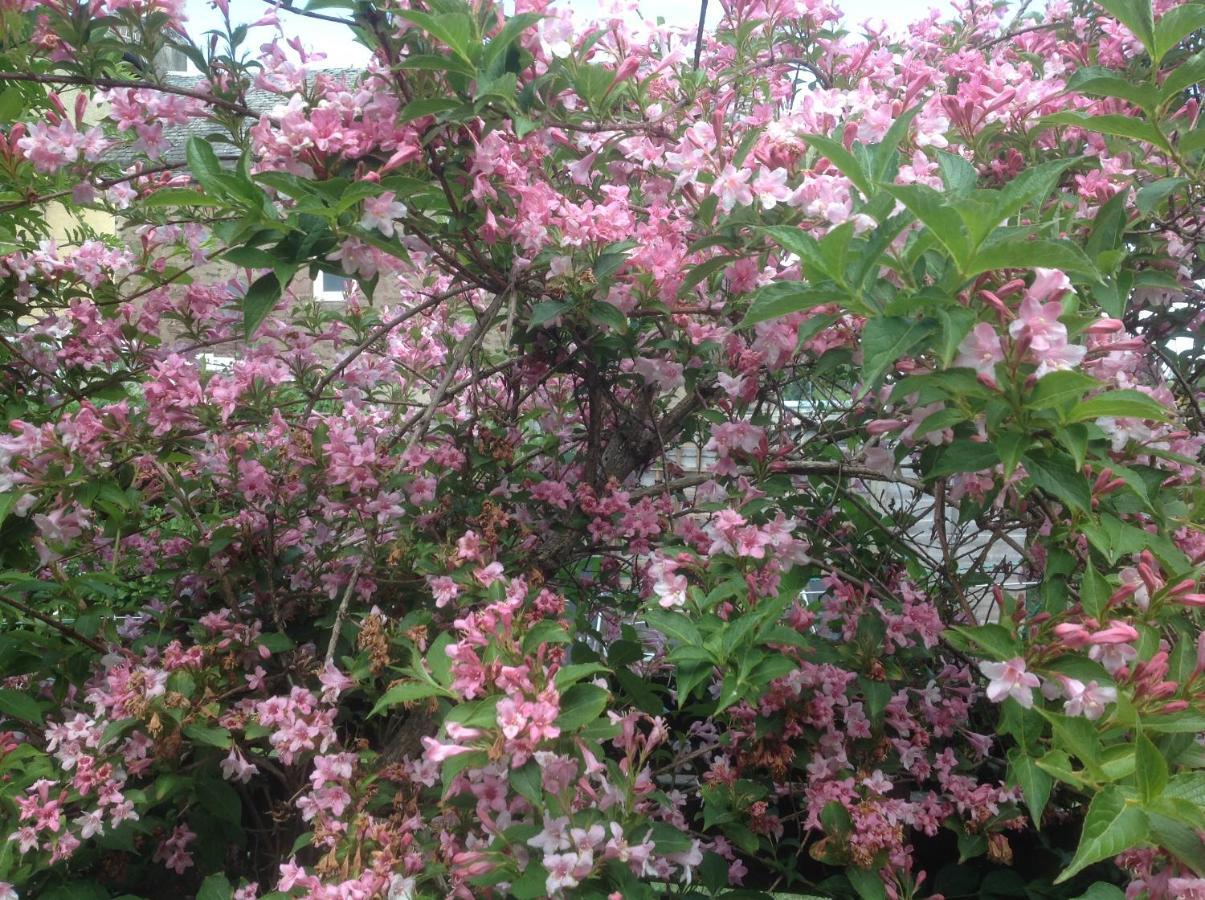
(343,51)
